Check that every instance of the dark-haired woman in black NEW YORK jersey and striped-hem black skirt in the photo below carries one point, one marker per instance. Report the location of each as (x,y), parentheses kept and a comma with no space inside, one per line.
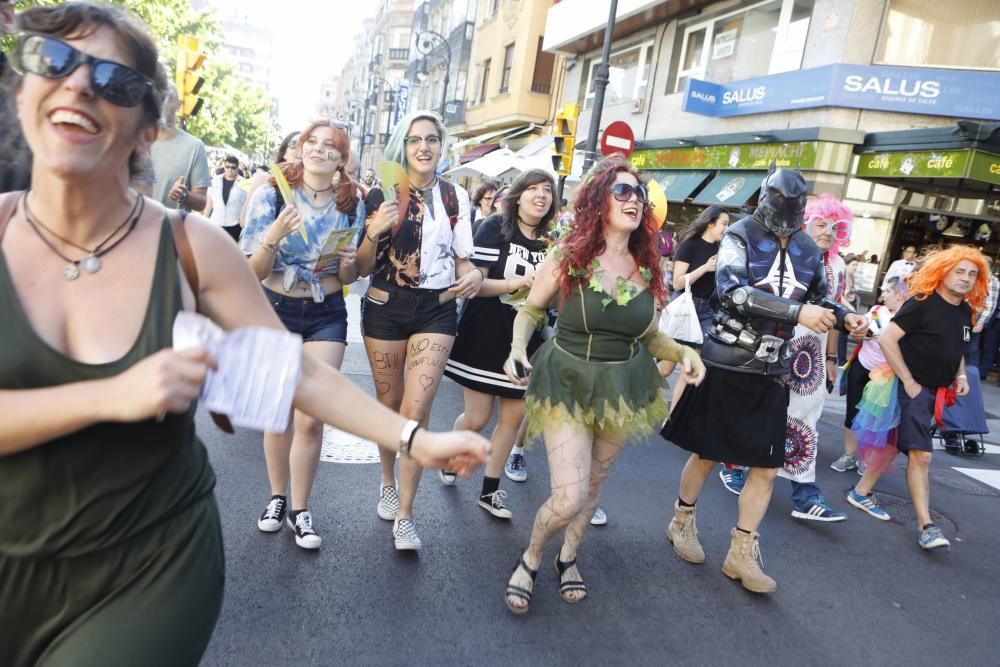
(510,247)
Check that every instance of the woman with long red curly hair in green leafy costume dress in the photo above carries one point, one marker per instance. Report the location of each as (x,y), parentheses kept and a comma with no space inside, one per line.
(594,385)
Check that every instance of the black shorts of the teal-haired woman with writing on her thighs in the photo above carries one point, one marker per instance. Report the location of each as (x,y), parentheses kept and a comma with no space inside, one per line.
(407,312)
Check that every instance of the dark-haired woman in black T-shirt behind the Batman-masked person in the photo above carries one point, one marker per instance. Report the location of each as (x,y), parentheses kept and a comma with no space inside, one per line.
(694,263)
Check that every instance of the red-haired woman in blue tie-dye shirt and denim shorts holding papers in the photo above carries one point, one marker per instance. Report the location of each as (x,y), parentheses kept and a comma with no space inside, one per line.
(292,246)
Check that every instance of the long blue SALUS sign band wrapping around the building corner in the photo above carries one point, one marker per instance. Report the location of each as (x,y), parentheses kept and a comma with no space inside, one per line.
(925,91)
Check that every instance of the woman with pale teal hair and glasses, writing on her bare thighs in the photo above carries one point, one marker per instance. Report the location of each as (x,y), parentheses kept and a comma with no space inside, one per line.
(419,261)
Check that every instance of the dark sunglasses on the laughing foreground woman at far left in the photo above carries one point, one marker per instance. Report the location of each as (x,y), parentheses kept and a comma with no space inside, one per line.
(52,58)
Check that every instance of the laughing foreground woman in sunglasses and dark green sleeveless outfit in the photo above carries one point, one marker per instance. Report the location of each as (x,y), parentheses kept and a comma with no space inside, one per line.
(111,551)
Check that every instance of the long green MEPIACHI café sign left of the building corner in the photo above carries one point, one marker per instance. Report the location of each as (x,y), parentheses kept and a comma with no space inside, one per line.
(799,154)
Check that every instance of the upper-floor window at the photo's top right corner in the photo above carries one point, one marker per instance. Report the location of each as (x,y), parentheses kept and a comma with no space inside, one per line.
(928,33)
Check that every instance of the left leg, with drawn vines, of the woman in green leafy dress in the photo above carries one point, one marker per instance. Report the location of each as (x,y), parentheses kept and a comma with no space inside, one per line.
(569,454)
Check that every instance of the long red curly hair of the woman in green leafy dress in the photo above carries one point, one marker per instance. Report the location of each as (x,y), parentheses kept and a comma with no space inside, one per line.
(585,239)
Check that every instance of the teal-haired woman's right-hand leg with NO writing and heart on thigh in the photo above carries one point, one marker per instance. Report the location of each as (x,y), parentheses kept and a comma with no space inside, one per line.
(426,356)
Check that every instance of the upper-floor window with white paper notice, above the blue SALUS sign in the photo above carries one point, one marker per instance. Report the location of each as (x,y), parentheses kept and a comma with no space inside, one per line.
(766,38)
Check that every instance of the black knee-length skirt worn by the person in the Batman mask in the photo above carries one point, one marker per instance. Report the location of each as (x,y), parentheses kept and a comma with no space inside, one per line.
(733,417)
